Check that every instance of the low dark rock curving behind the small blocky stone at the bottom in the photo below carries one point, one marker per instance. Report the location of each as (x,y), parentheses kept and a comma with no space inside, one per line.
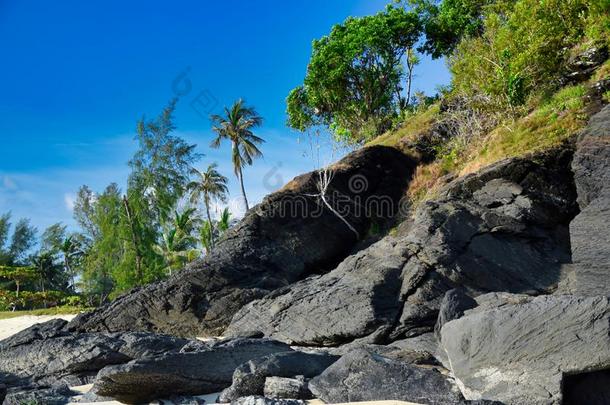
(249,378)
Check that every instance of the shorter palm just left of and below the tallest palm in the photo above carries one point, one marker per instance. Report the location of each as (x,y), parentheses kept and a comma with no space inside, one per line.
(212,186)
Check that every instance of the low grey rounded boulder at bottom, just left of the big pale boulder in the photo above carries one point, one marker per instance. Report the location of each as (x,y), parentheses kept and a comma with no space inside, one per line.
(363,376)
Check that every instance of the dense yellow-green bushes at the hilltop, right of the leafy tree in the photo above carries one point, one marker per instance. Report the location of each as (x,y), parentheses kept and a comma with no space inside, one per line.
(521,50)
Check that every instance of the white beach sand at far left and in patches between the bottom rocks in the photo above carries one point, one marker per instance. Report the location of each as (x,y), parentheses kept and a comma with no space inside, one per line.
(11,326)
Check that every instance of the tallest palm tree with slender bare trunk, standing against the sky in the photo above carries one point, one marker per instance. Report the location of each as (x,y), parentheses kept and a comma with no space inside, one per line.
(236,126)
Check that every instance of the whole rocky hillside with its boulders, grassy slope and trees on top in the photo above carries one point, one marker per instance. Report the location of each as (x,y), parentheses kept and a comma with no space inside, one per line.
(461,255)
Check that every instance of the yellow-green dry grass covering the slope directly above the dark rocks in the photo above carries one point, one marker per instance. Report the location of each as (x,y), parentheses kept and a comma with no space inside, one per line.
(549,123)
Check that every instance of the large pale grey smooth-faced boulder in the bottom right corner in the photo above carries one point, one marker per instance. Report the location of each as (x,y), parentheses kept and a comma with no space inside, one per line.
(523,352)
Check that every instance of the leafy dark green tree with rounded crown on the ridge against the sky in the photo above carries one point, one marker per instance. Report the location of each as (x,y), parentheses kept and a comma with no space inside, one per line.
(353,81)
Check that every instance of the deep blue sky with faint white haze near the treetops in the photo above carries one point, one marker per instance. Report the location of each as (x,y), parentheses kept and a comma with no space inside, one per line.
(77,75)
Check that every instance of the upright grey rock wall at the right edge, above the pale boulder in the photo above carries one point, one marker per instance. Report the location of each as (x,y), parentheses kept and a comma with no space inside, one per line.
(589,234)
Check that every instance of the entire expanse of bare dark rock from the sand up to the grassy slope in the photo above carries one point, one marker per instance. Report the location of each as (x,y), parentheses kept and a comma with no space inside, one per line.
(515,258)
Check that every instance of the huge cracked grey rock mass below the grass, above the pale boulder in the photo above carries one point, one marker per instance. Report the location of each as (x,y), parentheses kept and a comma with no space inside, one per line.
(504,228)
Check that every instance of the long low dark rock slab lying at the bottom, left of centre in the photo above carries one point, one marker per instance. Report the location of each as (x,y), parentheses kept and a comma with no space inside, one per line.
(190,373)
